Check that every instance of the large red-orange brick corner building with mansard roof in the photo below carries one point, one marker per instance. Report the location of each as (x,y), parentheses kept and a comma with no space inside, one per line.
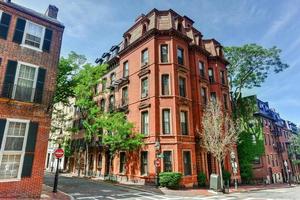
(162,75)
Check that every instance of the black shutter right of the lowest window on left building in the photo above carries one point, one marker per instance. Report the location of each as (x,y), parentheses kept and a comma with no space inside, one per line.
(29,150)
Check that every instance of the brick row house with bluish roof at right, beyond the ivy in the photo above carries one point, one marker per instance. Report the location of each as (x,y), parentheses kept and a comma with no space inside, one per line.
(274,166)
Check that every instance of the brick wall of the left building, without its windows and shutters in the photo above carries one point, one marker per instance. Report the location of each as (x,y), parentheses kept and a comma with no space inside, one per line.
(28,186)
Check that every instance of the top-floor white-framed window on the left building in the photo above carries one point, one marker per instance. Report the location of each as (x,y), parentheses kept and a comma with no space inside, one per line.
(34,34)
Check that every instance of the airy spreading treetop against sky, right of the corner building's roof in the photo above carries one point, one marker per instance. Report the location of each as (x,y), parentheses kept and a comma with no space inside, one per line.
(250,65)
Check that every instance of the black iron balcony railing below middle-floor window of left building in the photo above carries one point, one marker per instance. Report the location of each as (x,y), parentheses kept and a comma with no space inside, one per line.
(26,94)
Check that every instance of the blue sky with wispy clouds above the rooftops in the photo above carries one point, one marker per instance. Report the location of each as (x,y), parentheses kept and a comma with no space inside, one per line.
(93,26)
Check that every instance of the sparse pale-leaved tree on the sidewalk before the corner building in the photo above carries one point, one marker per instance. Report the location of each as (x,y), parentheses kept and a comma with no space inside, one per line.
(219,133)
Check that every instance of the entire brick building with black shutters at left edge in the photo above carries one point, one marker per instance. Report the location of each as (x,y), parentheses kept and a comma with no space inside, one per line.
(29,52)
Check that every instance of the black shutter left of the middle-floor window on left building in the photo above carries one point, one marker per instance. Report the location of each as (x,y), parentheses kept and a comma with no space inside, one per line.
(9,78)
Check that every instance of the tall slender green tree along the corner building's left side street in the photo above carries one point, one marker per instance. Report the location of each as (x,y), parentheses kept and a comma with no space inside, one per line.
(85,91)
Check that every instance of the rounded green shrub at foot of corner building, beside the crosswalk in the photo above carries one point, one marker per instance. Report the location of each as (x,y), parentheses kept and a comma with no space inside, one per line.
(170,179)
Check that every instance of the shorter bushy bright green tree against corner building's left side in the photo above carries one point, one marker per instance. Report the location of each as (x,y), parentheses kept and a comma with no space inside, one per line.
(120,135)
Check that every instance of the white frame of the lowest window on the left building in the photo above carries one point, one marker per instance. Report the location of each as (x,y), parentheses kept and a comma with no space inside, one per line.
(8,120)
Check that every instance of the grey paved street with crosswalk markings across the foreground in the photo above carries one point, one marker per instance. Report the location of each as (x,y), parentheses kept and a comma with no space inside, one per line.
(87,189)
